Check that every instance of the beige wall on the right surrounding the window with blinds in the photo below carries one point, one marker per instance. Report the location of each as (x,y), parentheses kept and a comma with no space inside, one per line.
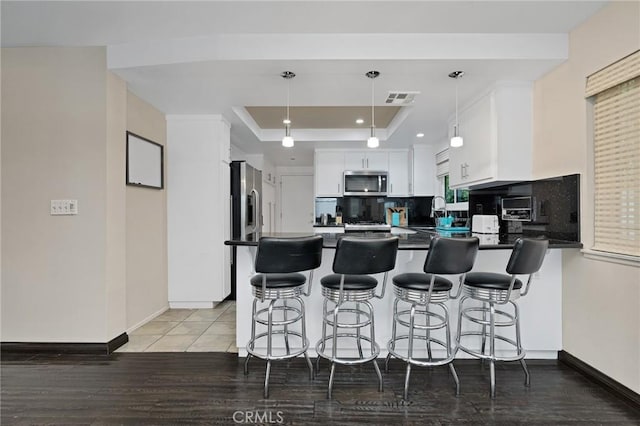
(601,300)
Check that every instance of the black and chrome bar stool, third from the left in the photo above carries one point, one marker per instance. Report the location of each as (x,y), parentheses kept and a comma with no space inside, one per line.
(422,292)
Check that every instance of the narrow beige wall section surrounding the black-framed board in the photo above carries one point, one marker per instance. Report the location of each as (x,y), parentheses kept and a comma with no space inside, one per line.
(146,226)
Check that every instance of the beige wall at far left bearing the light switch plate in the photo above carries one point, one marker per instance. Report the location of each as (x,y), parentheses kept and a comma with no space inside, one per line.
(56,126)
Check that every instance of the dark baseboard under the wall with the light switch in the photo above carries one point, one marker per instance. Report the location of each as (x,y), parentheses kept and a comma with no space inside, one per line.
(64,348)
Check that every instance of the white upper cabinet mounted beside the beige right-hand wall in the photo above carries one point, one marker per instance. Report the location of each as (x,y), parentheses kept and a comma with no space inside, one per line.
(497,133)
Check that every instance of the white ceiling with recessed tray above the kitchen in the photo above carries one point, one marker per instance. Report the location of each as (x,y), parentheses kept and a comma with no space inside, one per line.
(217,57)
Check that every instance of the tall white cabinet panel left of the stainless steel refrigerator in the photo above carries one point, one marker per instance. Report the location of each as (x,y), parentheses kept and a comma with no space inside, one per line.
(198,210)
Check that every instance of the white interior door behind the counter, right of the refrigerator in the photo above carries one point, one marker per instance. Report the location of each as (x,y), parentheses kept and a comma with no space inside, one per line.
(296,205)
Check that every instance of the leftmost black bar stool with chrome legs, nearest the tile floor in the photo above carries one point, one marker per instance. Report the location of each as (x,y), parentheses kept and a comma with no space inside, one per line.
(278,264)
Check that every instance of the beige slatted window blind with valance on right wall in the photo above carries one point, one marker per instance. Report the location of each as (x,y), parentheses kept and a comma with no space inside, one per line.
(617,157)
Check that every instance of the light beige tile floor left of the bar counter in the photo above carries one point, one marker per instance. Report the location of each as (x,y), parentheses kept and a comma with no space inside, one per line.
(187,330)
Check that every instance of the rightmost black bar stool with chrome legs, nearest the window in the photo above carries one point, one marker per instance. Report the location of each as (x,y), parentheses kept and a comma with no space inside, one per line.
(499,289)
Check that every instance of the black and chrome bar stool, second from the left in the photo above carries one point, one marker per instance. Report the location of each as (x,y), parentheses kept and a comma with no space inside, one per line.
(349,289)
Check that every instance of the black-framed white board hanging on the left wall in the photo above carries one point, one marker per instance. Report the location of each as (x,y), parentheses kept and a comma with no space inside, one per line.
(145,162)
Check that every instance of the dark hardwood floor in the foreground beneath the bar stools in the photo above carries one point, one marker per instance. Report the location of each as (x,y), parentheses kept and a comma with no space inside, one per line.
(210,388)
